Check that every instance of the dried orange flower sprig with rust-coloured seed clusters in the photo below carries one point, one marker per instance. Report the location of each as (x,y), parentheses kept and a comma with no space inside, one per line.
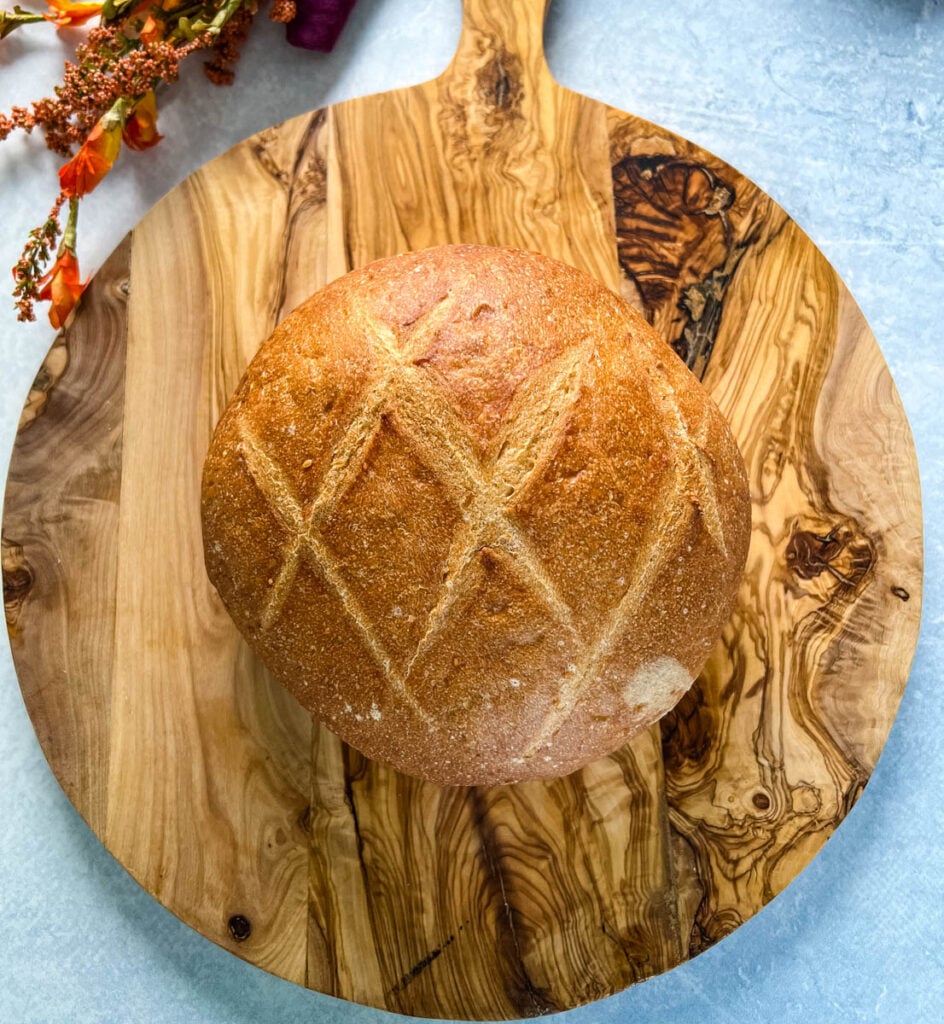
(107,102)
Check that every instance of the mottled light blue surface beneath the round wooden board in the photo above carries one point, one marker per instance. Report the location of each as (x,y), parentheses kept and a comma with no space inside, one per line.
(837,110)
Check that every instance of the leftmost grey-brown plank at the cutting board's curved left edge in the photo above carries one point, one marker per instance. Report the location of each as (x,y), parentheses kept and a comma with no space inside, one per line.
(59,589)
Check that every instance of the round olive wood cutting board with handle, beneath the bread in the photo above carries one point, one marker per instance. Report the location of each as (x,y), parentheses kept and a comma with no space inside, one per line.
(258,827)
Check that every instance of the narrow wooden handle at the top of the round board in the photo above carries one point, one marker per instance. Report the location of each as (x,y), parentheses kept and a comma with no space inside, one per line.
(513,30)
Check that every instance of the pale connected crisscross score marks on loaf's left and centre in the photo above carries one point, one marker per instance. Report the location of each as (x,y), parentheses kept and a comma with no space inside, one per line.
(424,417)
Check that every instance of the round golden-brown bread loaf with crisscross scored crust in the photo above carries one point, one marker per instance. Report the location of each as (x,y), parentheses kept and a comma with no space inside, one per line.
(476,515)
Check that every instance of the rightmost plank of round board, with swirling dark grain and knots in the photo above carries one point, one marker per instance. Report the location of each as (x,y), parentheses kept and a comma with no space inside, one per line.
(771,748)
